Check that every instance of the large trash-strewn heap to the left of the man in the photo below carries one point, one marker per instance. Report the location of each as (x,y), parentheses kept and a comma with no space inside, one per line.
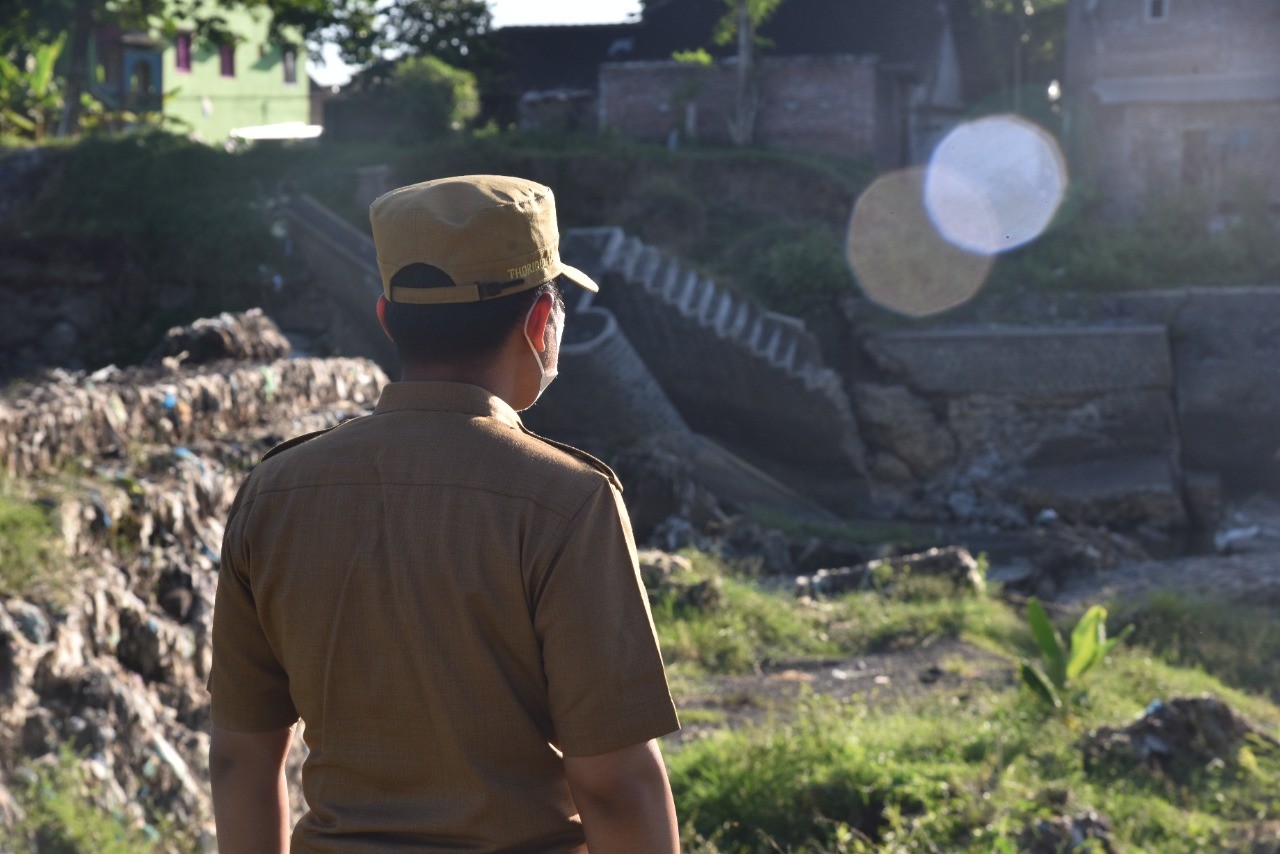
(143,465)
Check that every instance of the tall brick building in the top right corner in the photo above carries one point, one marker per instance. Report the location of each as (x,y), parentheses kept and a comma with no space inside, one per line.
(1174,95)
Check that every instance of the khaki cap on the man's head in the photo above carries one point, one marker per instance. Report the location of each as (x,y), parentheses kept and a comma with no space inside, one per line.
(492,236)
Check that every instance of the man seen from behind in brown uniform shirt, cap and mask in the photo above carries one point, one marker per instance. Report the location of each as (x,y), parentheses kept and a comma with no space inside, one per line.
(449,602)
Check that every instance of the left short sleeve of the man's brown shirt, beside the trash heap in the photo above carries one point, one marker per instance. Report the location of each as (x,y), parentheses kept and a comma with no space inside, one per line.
(249,687)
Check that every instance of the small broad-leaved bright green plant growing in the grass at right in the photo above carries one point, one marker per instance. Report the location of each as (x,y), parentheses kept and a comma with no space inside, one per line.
(1066,665)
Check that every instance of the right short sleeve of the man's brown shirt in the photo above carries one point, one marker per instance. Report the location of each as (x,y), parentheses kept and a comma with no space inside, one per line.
(606,679)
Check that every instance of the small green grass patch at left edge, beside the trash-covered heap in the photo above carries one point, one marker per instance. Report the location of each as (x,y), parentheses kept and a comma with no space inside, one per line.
(31,554)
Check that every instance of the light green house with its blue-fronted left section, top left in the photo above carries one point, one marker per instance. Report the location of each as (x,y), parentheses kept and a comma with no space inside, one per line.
(213,89)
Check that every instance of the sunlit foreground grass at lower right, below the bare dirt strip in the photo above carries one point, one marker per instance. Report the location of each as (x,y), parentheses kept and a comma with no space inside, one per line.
(961,770)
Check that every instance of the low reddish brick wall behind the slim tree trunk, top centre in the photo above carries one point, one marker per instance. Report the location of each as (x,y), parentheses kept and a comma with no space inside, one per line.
(817,104)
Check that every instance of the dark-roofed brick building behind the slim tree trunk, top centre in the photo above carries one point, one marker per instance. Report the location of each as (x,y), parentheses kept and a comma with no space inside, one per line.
(880,79)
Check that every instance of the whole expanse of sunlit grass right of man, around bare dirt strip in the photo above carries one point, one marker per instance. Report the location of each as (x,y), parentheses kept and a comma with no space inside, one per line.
(952,770)
